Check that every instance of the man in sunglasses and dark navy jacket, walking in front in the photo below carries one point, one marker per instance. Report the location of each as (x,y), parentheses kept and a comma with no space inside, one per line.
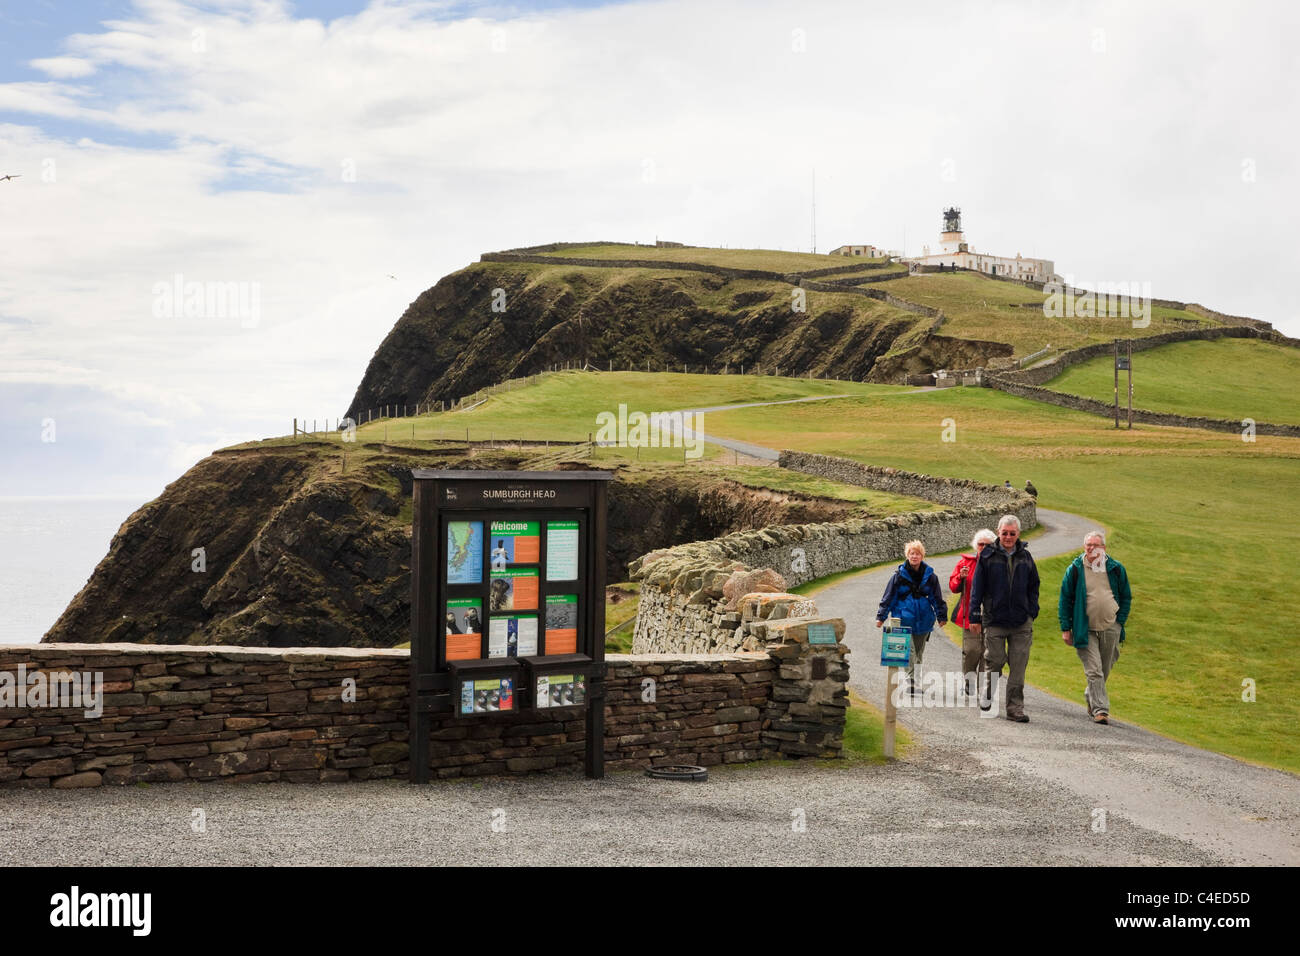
(1004,604)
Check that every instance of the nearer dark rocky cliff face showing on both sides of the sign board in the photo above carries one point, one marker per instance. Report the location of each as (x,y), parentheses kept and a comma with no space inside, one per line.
(297,552)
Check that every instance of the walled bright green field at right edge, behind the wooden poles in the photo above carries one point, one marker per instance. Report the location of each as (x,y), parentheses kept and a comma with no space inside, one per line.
(1232,378)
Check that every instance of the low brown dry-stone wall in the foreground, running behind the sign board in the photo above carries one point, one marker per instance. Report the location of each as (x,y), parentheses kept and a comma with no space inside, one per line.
(257,715)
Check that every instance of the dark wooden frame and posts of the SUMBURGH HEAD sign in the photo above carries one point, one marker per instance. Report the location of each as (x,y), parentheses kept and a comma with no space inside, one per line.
(545,499)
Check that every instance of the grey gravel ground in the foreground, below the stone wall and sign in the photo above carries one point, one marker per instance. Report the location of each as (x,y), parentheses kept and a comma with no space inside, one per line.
(916,812)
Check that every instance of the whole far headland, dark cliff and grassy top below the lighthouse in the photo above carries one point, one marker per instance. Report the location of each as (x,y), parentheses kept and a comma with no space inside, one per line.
(499,321)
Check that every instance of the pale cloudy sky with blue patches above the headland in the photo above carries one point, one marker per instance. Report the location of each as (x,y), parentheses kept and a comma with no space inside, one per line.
(332,161)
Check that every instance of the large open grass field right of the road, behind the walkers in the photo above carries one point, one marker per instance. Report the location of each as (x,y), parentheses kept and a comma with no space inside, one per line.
(1204,524)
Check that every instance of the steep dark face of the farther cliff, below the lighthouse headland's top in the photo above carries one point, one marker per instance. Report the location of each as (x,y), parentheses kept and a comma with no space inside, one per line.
(450,343)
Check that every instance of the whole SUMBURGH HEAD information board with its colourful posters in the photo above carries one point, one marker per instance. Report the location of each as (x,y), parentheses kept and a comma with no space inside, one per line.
(508,602)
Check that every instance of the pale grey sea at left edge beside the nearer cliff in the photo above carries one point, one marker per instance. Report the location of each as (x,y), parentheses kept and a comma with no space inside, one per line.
(49,550)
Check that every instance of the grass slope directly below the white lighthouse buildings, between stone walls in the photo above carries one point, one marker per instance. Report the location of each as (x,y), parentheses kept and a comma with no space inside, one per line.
(985,309)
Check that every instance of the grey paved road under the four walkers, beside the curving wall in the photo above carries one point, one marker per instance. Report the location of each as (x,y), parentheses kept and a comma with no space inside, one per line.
(1230,811)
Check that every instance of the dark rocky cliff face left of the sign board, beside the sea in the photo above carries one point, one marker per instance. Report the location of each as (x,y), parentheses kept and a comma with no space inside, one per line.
(293,553)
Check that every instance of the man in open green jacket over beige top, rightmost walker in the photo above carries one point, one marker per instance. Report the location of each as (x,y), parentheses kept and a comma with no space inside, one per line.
(1095,600)
